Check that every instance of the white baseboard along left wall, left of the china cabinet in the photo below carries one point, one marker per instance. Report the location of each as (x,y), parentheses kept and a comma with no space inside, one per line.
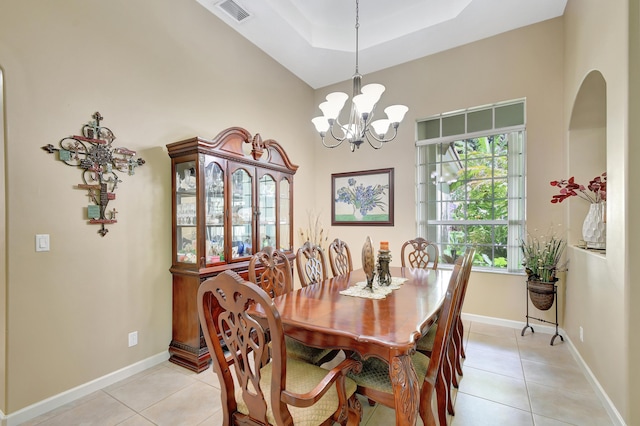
(85,389)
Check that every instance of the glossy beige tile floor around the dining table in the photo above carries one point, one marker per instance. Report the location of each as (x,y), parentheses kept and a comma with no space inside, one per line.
(508,380)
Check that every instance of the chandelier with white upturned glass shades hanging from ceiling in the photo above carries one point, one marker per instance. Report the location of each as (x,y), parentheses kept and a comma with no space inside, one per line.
(360,126)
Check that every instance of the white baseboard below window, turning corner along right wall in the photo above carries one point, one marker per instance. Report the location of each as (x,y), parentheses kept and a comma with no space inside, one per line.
(615,416)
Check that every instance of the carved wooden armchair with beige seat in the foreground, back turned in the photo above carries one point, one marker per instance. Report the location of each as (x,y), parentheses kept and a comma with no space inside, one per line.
(281,391)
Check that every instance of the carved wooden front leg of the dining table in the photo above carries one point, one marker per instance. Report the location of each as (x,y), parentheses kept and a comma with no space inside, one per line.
(406,389)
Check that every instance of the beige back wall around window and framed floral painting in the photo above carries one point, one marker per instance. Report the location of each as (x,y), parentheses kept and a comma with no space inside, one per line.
(526,63)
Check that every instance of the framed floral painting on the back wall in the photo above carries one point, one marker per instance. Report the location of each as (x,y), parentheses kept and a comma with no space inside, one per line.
(362,198)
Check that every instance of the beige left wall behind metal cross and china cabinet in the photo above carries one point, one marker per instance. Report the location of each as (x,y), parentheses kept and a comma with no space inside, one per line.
(158,71)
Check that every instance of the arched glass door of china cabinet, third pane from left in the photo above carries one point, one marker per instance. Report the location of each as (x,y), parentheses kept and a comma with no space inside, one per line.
(241,214)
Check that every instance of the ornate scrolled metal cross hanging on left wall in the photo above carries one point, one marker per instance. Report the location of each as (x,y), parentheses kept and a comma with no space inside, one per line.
(93,153)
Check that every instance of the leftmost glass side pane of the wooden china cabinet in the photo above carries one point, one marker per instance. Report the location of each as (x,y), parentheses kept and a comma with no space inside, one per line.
(186,212)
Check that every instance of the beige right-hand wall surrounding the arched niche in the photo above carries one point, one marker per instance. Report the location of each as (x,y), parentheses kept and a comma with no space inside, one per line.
(596,285)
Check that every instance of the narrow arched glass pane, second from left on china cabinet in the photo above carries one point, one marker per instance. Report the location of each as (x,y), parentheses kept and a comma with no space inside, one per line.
(214,209)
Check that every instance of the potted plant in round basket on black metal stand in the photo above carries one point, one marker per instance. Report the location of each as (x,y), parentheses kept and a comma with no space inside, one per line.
(541,259)
